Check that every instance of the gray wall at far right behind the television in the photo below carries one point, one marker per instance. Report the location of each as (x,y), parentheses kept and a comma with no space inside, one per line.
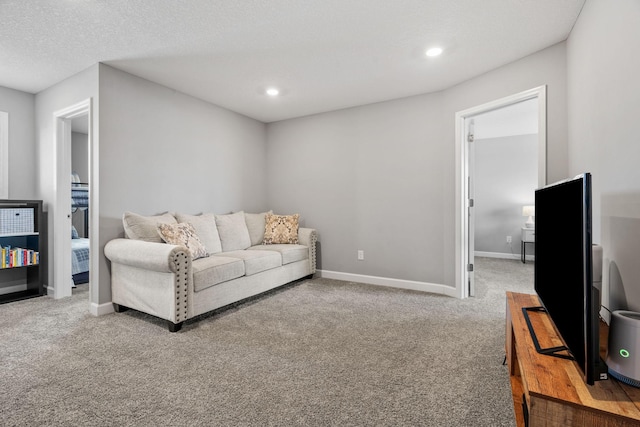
(604,106)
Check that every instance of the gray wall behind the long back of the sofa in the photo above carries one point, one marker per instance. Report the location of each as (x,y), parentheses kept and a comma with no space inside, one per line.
(161,150)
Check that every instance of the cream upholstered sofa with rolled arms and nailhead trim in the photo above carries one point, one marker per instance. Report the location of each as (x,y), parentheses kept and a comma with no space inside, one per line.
(164,280)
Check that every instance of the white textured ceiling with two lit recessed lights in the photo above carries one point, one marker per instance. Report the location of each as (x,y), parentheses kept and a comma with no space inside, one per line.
(323,54)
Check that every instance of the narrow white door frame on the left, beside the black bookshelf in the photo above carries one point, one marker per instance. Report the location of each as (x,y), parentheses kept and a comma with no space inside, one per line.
(62,207)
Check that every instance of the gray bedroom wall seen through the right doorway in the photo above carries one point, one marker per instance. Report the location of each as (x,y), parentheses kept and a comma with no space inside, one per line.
(506,178)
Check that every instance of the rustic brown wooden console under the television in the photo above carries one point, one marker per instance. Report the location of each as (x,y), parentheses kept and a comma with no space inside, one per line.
(552,389)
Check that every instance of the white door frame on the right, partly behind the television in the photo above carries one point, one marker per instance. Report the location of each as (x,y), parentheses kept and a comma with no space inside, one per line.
(462,172)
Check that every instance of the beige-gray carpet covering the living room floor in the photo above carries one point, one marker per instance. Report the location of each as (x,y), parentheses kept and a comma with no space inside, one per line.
(319,352)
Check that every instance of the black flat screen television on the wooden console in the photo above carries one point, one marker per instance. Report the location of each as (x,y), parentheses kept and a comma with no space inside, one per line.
(564,270)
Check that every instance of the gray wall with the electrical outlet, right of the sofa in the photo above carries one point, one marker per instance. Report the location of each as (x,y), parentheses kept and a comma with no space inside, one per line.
(368,178)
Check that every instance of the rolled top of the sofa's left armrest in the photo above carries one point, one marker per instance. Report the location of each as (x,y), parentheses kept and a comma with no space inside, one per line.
(145,255)
